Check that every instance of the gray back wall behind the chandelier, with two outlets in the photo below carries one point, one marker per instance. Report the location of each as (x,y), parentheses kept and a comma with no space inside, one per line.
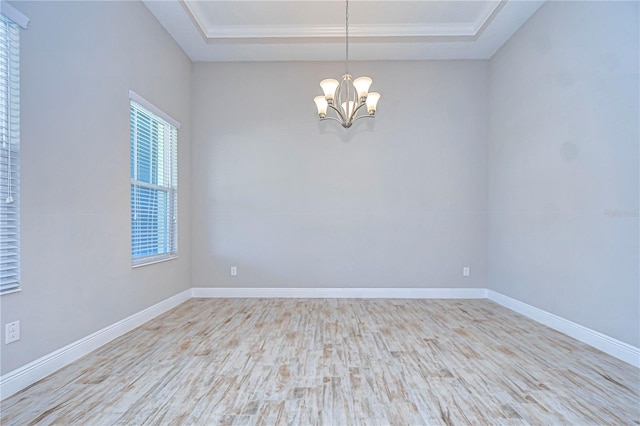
(399,201)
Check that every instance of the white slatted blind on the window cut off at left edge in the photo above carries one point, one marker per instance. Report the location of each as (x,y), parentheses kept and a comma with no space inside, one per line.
(9,155)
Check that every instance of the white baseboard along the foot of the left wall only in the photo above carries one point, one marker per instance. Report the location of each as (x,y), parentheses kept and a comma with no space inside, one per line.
(27,375)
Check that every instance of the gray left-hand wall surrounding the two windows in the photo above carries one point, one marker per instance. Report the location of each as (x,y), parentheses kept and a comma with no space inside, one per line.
(78,62)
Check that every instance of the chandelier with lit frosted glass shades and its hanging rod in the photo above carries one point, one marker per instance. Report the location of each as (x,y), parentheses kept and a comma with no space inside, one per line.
(346,98)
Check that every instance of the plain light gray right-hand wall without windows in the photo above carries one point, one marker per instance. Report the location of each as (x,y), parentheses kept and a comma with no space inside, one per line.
(563,176)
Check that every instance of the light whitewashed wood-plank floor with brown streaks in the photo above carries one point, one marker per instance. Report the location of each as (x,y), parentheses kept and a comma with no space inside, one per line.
(336,362)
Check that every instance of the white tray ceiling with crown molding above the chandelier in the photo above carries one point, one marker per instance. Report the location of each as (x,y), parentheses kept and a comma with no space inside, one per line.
(312,30)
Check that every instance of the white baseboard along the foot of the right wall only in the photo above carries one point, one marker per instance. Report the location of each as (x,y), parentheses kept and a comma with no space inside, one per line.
(623,351)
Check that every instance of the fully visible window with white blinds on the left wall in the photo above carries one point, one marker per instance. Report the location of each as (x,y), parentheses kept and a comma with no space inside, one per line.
(154,183)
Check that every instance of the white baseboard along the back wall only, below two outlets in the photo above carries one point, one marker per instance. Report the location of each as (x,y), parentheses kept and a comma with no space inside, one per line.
(342,293)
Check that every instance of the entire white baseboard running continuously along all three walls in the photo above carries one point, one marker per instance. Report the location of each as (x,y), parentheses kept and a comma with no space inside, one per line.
(29,374)
